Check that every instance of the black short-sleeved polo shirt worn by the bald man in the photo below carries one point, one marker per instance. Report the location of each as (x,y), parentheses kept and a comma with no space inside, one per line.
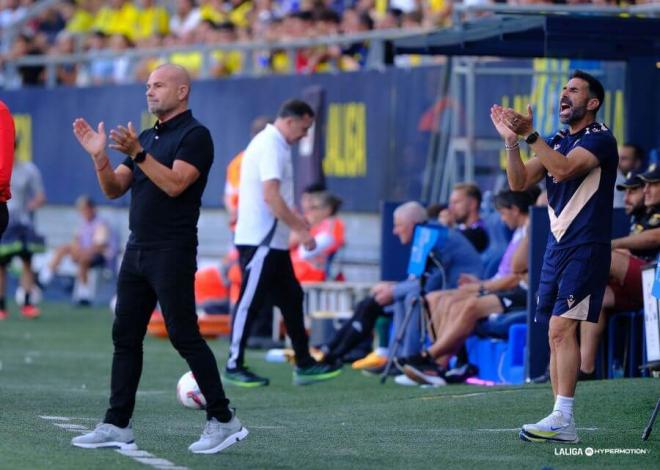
(157,220)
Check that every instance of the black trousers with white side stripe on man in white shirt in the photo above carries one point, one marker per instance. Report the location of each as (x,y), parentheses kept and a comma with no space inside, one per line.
(268,276)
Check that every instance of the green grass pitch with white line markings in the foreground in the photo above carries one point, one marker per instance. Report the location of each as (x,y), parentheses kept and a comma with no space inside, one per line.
(58,366)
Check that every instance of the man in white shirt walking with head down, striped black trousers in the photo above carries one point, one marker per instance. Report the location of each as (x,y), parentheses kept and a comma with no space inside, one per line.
(264,221)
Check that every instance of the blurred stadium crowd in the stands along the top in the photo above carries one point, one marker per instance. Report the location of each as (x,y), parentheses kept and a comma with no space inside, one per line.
(73,26)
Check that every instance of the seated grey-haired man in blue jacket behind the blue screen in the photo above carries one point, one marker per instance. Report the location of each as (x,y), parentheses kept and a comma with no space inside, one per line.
(456,256)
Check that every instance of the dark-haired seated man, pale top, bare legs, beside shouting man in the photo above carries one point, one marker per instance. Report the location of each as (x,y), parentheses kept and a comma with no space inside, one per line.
(457,312)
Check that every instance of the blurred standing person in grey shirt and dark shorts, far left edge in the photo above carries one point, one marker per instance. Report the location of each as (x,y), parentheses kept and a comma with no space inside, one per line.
(21,239)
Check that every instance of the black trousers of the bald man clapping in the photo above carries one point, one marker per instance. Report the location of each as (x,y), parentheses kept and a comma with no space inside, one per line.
(166,276)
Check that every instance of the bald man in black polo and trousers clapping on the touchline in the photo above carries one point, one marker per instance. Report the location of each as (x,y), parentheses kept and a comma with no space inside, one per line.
(166,170)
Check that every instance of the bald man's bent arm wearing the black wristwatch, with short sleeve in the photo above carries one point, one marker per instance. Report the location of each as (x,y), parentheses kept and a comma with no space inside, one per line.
(173,181)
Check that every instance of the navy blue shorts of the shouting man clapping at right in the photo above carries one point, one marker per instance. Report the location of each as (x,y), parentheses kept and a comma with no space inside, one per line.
(573,282)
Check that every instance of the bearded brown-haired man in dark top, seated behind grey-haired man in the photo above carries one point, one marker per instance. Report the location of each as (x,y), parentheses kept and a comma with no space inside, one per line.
(464,204)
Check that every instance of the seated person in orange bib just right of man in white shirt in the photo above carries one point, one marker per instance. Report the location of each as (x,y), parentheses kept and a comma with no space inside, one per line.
(328,231)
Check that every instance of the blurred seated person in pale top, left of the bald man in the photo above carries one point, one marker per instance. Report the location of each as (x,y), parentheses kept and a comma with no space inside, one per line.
(93,246)
